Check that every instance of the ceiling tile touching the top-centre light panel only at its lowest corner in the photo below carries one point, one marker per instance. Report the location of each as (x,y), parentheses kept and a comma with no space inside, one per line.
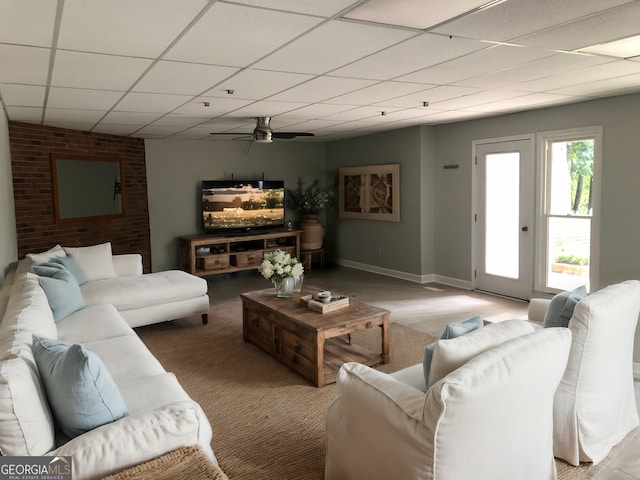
(414,54)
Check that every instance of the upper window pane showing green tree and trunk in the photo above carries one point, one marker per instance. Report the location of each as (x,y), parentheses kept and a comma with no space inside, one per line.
(571,177)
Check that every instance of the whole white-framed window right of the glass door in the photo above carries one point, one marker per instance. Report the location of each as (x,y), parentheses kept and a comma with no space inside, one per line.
(570,191)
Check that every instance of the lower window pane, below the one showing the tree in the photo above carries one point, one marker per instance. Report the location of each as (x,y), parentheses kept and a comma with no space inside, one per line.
(569,252)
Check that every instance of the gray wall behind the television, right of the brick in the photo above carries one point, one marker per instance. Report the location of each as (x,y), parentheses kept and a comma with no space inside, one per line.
(175,169)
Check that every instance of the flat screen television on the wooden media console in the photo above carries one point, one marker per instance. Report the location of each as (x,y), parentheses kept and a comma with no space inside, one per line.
(242,206)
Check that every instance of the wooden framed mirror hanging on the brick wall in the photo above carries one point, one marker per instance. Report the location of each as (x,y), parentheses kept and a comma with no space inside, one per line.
(86,187)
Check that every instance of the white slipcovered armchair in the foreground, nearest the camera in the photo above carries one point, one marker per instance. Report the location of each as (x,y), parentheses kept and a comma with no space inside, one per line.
(489,419)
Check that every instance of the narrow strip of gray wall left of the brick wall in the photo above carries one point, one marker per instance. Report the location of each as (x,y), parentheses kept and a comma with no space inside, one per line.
(8,236)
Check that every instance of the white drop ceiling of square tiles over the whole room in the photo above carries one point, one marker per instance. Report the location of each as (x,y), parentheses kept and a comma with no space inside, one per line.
(338,68)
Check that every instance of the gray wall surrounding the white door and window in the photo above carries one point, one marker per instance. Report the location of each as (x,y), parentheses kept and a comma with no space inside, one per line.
(620,208)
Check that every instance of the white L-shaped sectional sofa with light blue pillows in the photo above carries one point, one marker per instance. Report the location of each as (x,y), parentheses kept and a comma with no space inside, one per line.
(161,415)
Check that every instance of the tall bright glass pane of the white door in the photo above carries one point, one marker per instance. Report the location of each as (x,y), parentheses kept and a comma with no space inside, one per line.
(502,235)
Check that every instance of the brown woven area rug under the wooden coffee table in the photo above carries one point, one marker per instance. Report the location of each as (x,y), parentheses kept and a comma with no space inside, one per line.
(269,422)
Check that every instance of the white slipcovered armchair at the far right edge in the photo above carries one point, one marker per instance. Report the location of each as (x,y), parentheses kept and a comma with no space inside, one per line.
(595,405)
